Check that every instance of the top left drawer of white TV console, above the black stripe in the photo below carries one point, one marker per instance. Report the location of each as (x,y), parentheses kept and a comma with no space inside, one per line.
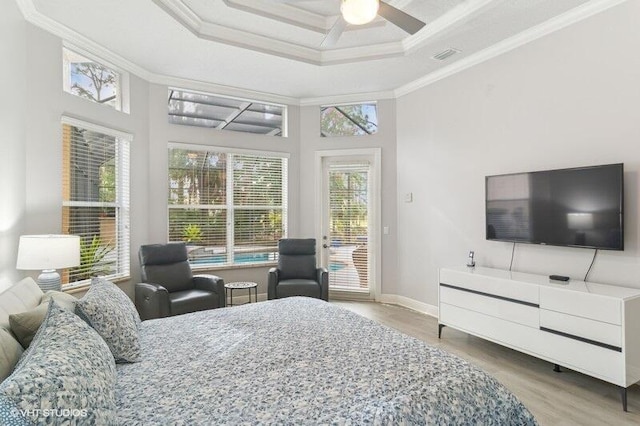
(508,289)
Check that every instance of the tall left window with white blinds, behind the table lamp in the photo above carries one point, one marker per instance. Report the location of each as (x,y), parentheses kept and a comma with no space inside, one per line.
(95,201)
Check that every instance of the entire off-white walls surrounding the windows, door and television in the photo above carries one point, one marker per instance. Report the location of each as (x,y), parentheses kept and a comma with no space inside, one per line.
(566,100)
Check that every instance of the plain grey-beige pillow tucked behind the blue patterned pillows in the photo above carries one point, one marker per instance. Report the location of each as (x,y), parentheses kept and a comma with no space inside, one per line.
(25,324)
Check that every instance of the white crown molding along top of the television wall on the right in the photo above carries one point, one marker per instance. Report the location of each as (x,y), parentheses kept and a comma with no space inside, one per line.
(552,25)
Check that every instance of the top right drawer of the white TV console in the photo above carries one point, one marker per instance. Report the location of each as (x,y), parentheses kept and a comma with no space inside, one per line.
(581,304)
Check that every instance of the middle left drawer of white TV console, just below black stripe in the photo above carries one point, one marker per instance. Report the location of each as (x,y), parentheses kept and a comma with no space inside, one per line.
(509,311)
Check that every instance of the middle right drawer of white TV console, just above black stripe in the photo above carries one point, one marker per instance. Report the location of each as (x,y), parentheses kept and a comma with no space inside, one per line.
(582,328)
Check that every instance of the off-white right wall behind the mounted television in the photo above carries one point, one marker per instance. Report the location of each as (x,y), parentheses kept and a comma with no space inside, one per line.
(569,99)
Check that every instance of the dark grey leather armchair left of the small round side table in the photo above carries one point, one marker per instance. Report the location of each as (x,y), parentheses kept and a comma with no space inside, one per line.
(170,288)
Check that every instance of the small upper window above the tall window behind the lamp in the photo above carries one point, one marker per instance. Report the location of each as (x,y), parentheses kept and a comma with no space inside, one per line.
(92,80)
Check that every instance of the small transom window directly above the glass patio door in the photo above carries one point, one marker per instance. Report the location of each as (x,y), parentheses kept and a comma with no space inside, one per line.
(348,120)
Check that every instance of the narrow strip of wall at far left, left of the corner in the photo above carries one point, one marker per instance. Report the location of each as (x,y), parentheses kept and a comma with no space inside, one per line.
(12,142)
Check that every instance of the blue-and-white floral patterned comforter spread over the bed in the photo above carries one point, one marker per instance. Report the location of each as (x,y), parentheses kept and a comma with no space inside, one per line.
(301,361)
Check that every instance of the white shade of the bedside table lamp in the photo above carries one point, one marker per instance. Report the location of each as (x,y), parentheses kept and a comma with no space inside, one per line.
(38,252)
